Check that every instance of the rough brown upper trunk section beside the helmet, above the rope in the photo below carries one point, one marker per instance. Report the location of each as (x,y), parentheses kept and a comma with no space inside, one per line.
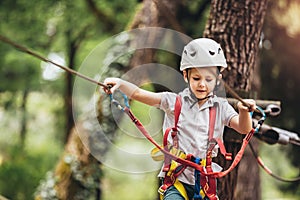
(237,26)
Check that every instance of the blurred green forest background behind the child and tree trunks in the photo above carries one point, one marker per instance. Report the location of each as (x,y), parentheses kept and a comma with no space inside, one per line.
(32,95)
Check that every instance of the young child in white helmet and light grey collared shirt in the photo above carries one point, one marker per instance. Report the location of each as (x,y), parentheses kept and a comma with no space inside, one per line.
(201,63)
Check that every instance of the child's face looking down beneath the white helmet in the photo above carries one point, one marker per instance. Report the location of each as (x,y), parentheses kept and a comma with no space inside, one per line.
(202,80)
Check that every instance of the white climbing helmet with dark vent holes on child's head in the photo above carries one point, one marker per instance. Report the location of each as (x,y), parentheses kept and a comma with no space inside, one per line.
(202,52)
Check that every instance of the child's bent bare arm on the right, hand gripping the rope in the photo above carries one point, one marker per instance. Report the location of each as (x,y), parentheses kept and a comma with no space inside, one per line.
(243,122)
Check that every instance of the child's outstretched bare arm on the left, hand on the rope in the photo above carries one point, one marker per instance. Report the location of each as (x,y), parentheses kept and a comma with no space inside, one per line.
(133,91)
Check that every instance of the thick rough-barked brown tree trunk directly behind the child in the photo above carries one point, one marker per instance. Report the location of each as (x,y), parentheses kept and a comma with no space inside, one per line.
(237,26)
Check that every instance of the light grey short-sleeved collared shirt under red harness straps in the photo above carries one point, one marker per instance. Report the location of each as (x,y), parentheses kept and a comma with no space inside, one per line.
(193,125)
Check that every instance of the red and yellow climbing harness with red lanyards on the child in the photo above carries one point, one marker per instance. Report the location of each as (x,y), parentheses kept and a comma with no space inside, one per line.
(176,161)
